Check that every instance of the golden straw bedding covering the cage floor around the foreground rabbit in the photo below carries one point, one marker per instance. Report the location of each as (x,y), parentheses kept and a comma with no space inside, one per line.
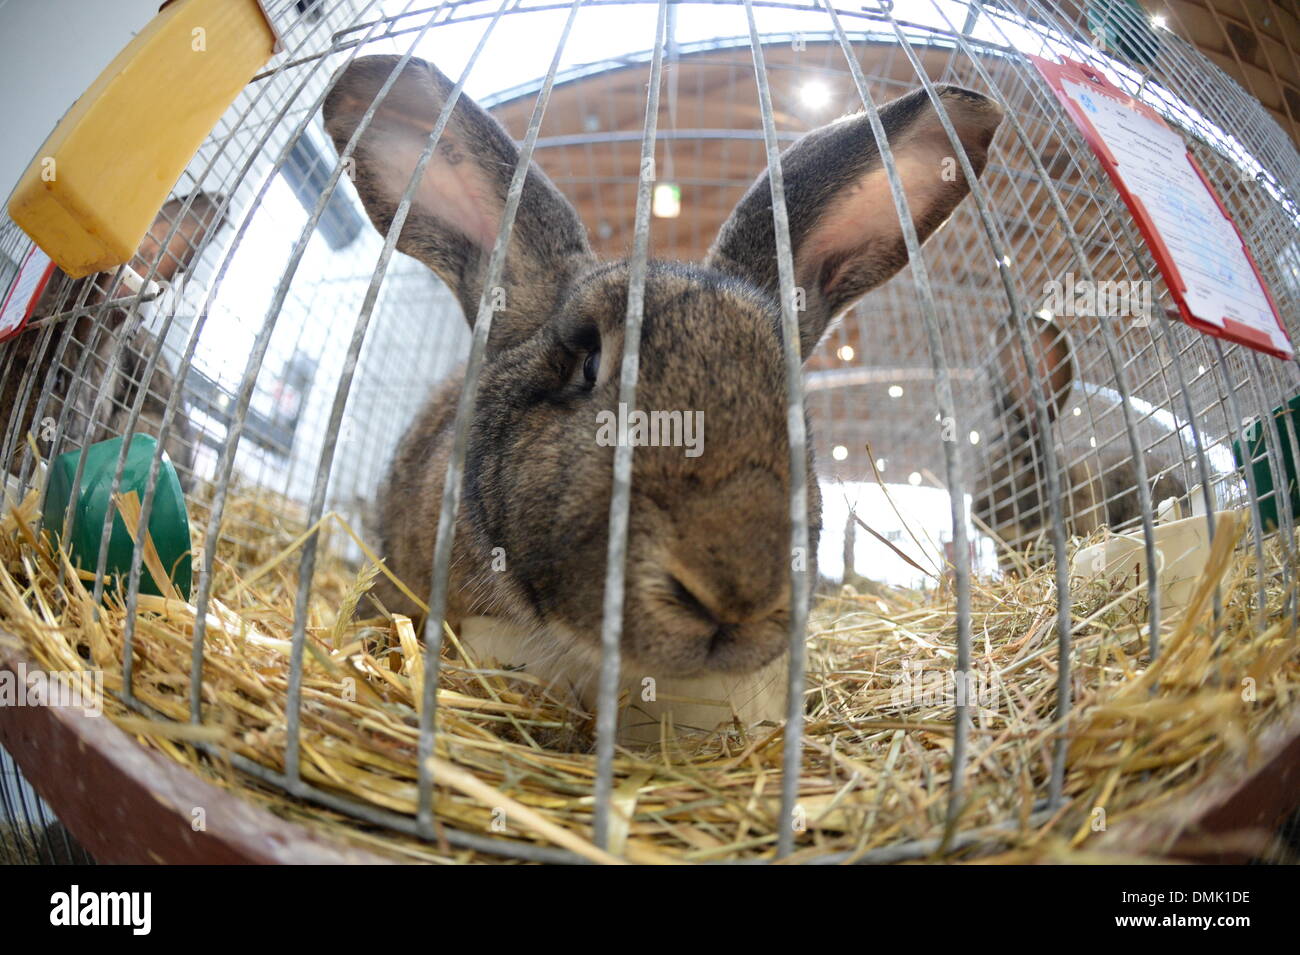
(514,759)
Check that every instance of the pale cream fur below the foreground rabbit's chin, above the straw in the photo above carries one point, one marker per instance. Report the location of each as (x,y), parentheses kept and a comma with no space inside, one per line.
(695,704)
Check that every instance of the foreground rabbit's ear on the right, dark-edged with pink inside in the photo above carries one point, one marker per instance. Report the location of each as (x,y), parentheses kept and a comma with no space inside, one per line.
(844,227)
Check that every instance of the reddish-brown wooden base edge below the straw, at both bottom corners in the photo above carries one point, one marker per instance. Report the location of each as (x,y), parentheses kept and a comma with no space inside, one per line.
(128,805)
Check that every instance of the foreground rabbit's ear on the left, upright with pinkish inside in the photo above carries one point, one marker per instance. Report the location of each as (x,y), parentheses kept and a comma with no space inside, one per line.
(458,207)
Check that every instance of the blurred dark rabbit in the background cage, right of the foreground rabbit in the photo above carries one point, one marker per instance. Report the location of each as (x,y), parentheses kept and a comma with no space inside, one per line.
(1009,496)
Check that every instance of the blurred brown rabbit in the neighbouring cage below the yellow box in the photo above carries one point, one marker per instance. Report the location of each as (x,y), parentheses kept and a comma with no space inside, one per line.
(101,336)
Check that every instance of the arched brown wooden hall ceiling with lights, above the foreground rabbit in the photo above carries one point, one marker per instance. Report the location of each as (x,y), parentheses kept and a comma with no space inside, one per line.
(709,125)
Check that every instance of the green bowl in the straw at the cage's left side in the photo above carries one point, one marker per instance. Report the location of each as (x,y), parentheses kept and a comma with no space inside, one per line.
(170,522)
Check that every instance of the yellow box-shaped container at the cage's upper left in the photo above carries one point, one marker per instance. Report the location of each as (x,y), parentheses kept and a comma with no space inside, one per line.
(103,175)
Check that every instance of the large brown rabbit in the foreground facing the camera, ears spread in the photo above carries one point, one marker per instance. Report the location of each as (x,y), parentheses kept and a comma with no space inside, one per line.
(709,562)
